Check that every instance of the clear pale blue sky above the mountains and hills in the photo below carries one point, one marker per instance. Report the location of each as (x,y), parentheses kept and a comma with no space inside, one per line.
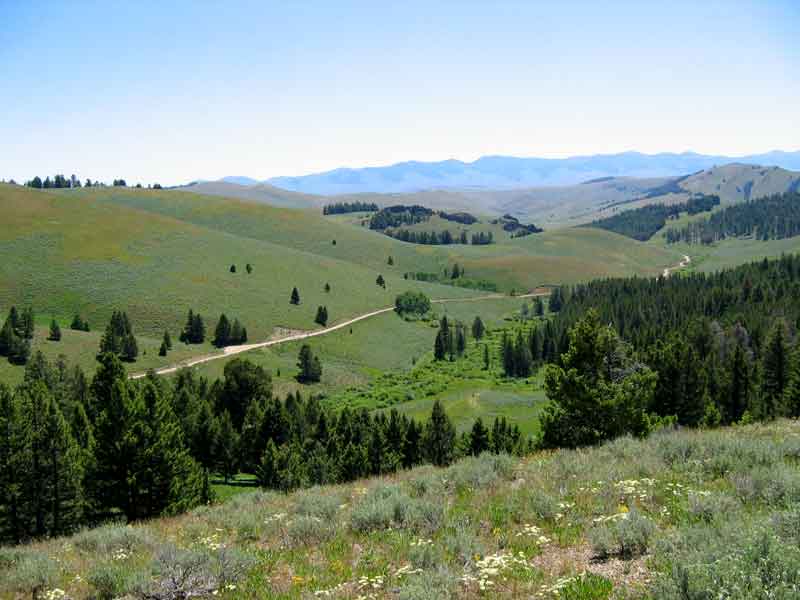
(169,92)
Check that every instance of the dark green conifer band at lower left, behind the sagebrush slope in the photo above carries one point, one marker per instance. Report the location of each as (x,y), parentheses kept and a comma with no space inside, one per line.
(77,452)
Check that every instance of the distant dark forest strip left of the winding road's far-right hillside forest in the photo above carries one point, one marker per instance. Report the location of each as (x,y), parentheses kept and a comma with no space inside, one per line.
(643,223)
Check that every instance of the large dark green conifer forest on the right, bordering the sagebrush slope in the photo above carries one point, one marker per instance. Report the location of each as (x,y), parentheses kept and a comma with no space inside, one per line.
(714,348)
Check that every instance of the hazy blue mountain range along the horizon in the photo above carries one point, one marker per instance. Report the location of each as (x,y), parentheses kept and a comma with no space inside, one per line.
(508,172)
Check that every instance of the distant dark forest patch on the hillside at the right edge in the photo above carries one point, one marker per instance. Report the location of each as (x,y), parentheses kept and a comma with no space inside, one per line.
(771,218)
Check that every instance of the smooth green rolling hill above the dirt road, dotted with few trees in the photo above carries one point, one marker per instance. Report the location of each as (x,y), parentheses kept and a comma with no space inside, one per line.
(158,253)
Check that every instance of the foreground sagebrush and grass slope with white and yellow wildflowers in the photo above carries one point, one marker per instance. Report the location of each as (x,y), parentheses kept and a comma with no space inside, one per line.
(683,514)
